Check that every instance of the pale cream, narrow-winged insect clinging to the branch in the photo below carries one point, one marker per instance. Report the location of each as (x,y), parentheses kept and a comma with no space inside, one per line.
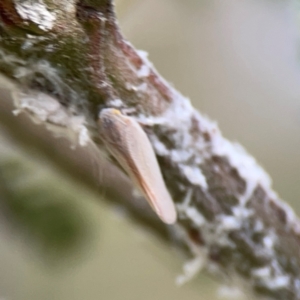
(130,146)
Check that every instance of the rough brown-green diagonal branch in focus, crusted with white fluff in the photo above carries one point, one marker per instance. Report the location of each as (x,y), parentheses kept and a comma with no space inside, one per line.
(70,61)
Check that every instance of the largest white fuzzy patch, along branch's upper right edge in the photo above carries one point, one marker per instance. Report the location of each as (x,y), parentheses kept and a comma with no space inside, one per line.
(181,112)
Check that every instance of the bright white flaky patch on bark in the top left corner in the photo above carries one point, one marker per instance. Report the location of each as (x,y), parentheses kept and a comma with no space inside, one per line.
(36,13)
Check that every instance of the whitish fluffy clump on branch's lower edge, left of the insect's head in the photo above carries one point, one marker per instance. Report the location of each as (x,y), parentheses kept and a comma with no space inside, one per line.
(45,109)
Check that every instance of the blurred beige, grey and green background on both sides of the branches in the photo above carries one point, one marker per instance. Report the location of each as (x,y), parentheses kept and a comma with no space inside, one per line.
(238,62)
